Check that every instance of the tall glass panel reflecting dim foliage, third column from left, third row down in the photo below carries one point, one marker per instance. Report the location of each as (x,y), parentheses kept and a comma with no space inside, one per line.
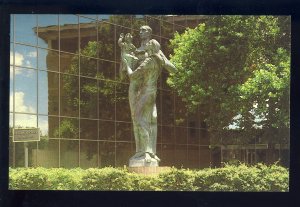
(69,96)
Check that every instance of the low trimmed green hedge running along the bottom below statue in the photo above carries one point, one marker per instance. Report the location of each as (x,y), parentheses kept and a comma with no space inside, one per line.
(229,178)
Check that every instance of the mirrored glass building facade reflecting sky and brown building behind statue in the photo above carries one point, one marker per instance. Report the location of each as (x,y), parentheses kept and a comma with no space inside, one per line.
(65,81)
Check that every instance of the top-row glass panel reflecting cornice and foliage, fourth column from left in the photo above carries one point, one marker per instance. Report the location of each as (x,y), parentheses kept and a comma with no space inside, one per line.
(88,36)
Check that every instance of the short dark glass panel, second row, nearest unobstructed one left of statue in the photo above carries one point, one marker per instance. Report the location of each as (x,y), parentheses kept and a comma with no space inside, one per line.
(106,70)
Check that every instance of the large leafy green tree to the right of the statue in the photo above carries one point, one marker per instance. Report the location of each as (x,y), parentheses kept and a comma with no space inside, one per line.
(236,69)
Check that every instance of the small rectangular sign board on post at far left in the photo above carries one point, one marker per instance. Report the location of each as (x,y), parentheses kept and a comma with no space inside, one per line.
(26,135)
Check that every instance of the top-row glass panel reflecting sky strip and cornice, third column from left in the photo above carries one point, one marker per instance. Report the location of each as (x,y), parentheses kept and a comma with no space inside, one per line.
(69,33)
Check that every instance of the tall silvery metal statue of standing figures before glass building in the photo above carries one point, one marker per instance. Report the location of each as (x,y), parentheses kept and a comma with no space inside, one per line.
(142,97)
